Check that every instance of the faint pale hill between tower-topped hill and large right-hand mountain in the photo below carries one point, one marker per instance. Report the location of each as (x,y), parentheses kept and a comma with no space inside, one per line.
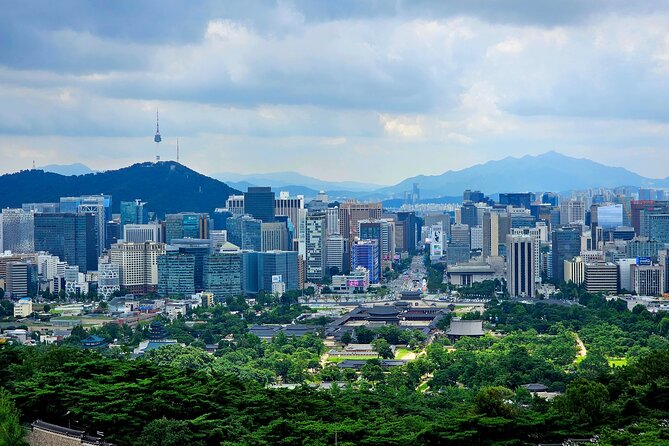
(285,179)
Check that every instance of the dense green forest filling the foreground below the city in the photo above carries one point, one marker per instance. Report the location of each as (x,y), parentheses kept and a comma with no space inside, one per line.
(467,393)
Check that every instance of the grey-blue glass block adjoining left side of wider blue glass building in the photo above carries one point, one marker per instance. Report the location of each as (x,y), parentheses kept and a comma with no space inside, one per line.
(223,274)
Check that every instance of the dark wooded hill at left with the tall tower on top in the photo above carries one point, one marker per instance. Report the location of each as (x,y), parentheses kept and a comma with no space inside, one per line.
(166,186)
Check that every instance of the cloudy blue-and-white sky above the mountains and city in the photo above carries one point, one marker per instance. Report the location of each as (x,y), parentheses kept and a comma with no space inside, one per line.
(374,91)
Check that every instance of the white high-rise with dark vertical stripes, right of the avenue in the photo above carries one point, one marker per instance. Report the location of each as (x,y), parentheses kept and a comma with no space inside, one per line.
(521,265)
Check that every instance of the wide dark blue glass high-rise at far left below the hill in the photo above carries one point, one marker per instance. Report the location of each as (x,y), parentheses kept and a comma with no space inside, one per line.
(71,237)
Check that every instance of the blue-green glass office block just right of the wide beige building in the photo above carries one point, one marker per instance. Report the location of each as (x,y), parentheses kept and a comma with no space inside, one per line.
(176,273)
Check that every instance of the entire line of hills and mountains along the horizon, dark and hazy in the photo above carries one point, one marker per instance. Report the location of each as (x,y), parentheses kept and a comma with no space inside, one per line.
(172,187)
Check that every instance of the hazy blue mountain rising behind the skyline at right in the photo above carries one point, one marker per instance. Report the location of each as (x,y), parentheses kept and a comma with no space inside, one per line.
(550,171)
